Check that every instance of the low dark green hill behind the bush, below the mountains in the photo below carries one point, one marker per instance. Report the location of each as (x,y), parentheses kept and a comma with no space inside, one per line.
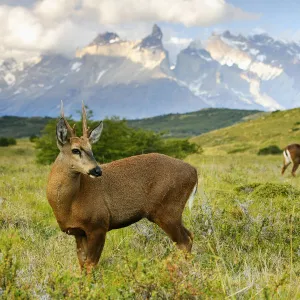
(194,123)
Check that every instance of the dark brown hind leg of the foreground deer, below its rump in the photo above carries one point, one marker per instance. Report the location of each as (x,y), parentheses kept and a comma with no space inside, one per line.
(178,233)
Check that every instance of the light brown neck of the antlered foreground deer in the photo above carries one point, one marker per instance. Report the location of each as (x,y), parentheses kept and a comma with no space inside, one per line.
(63,187)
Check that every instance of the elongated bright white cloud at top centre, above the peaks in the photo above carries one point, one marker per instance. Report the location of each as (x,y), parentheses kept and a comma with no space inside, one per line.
(187,12)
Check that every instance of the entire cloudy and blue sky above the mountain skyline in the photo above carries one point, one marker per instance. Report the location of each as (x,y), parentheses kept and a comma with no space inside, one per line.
(31,27)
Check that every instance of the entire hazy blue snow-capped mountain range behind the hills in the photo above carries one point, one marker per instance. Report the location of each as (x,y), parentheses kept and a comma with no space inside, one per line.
(133,79)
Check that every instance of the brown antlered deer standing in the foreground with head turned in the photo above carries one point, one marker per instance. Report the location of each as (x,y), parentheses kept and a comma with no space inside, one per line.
(88,201)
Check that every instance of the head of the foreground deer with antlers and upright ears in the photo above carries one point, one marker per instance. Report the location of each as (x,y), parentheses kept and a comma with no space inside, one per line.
(78,150)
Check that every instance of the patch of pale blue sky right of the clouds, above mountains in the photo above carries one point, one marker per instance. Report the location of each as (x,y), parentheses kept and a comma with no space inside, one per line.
(280,19)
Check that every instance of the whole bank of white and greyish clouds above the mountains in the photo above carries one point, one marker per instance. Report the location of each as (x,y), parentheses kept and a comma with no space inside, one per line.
(63,25)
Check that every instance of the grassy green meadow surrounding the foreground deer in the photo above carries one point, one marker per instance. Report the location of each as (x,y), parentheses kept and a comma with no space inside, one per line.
(246,220)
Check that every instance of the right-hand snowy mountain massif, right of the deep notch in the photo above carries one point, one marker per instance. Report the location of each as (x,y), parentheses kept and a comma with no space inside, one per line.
(254,72)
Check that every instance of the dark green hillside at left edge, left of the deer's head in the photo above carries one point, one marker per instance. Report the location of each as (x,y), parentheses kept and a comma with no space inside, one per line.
(21,127)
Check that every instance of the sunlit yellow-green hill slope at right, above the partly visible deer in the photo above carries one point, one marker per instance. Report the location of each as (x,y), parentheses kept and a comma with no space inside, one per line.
(277,128)
